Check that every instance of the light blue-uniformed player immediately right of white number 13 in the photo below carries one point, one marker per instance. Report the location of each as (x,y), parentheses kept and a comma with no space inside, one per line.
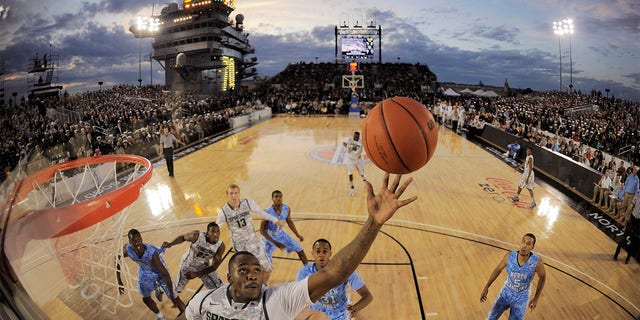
(273,235)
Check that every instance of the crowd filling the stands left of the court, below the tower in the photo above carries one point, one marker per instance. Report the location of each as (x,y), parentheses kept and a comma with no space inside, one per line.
(123,119)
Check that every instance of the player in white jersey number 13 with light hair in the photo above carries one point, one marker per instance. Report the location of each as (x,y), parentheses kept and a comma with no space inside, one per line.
(236,213)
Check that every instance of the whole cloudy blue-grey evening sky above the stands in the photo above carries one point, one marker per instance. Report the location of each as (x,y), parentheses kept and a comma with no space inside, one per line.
(462,41)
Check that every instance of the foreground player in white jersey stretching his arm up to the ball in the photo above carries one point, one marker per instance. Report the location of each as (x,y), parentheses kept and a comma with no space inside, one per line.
(246,298)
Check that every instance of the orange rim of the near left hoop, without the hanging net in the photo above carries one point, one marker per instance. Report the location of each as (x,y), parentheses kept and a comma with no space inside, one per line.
(56,204)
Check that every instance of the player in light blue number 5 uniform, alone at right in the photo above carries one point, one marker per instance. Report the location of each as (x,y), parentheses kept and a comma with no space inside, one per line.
(521,266)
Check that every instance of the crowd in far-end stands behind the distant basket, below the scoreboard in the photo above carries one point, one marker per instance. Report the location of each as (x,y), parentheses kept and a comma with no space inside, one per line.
(312,88)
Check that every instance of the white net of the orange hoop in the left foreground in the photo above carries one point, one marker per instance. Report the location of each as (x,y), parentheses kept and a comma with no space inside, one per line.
(87,257)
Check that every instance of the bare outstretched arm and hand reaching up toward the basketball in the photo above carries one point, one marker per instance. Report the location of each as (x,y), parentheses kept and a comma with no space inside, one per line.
(381,207)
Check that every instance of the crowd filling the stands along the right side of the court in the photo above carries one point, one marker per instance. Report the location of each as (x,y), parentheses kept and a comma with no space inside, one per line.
(601,137)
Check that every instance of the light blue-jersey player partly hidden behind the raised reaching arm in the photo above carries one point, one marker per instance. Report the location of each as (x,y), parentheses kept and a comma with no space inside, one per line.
(336,303)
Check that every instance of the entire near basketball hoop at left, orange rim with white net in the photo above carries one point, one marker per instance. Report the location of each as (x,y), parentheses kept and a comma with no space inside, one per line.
(77,211)
